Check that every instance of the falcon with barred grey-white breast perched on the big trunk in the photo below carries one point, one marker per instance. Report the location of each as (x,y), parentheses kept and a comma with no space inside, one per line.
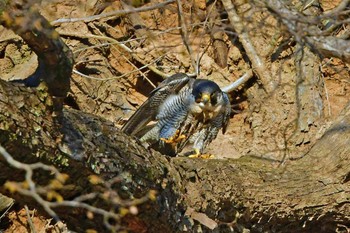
(184,111)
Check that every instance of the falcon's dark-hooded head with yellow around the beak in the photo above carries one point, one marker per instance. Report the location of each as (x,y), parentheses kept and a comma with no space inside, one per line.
(206,92)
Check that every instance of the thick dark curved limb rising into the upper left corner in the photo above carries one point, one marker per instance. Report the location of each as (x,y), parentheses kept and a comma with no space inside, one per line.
(55,60)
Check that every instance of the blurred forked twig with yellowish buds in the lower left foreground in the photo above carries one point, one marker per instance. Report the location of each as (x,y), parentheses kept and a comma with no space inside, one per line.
(34,190)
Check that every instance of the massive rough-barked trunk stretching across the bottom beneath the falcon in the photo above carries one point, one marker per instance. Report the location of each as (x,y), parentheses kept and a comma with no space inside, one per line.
(310,194)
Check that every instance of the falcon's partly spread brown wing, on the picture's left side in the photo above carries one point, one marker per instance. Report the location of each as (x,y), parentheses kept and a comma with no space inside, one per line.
(149,109)
